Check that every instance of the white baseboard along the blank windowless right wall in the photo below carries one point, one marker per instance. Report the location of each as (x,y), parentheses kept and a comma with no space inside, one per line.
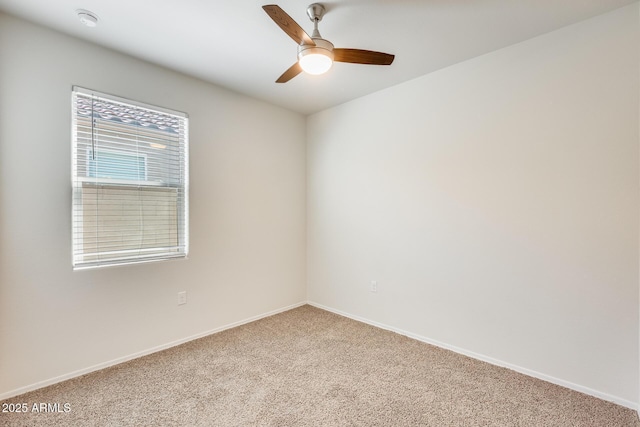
(491,360)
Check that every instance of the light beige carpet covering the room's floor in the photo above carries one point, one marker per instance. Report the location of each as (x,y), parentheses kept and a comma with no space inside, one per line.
(308,367)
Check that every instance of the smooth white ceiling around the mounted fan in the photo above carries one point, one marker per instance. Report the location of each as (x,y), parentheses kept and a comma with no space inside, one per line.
(233,43)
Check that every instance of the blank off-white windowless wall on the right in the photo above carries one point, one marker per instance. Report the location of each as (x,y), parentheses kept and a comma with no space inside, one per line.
(496,204)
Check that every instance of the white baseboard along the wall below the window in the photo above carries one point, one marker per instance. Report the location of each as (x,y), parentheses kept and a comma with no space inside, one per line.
(74,374)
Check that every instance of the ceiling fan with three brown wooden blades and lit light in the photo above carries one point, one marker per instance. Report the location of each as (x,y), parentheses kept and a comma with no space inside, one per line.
(315,54)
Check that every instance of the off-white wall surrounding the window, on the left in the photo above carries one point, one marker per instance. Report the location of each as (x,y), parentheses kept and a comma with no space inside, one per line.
(247,214)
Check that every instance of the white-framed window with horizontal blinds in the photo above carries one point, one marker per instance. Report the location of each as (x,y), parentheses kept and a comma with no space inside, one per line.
(130,181)
